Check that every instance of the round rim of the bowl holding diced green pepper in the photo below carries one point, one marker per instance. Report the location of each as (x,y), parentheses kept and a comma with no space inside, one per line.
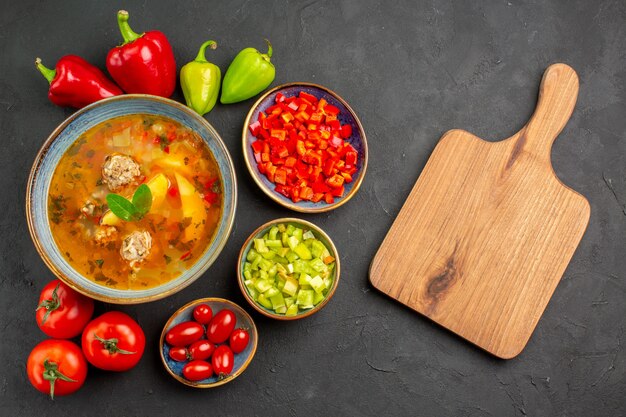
(309,312)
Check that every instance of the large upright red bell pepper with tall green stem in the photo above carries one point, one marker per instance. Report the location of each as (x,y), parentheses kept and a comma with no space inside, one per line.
(144,63)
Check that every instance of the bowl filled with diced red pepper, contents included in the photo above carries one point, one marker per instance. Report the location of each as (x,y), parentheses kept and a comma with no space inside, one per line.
(305,147)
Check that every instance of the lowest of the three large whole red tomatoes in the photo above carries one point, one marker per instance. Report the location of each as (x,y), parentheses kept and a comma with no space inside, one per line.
(56,367)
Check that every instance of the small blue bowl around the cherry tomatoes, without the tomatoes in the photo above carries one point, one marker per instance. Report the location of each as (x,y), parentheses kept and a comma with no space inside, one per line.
(242,360)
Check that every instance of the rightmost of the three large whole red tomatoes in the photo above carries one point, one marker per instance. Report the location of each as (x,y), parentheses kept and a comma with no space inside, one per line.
(113,342)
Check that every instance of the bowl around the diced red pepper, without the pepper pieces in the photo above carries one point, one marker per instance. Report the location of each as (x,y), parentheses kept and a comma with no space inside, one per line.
(346,116)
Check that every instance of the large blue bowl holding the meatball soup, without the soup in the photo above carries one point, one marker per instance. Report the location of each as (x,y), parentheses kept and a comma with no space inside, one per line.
(59,142)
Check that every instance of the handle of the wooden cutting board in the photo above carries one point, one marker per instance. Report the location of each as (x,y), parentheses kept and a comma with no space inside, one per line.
(557,98)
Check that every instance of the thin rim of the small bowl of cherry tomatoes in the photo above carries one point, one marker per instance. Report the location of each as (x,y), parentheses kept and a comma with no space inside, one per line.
(228,378)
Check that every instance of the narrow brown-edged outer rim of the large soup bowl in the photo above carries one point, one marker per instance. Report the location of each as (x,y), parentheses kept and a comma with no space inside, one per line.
(34,172)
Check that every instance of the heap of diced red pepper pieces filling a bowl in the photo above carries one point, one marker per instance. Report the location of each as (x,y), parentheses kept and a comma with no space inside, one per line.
(302,147)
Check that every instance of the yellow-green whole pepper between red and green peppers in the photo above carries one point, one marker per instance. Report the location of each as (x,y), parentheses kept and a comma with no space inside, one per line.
(200,81)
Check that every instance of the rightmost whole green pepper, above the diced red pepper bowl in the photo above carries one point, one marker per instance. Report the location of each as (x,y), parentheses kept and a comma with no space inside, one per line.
(250,73)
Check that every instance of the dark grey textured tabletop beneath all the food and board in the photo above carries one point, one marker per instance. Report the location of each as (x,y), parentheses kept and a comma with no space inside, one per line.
(411,71)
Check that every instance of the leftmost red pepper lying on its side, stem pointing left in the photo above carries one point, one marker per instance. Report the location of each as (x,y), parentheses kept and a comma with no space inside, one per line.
(76,83)
